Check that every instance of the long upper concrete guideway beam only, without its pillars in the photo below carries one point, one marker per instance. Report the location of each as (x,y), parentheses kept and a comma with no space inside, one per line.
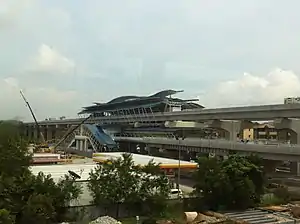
(256,113)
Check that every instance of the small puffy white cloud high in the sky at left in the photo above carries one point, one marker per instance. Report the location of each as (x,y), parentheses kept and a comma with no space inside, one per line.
(50,60)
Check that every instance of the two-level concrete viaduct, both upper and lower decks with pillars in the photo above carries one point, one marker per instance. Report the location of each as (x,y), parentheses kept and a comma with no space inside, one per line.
(286,119)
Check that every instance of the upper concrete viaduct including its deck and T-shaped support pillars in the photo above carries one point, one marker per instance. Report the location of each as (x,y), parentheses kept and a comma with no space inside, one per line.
(286,119)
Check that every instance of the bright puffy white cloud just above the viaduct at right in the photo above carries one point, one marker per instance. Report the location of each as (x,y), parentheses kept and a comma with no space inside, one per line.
(253,89)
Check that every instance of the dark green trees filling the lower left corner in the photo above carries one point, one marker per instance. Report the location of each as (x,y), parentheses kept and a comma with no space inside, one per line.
(31,199)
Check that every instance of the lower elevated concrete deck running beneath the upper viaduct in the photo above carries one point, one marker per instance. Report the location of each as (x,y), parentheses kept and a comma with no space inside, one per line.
(281,152)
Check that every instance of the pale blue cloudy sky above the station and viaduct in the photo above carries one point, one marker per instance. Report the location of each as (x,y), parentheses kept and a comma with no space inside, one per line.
(68,54)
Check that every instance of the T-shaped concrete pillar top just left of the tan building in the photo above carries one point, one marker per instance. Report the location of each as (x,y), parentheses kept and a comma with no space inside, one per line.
(233,128)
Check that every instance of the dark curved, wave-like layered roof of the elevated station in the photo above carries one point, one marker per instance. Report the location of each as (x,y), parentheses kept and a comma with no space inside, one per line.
(158,102)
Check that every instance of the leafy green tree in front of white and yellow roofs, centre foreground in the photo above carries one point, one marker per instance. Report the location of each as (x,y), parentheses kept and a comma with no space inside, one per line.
(119,181)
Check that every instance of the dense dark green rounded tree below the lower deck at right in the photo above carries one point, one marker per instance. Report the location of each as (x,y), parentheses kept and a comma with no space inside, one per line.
(235,183)
